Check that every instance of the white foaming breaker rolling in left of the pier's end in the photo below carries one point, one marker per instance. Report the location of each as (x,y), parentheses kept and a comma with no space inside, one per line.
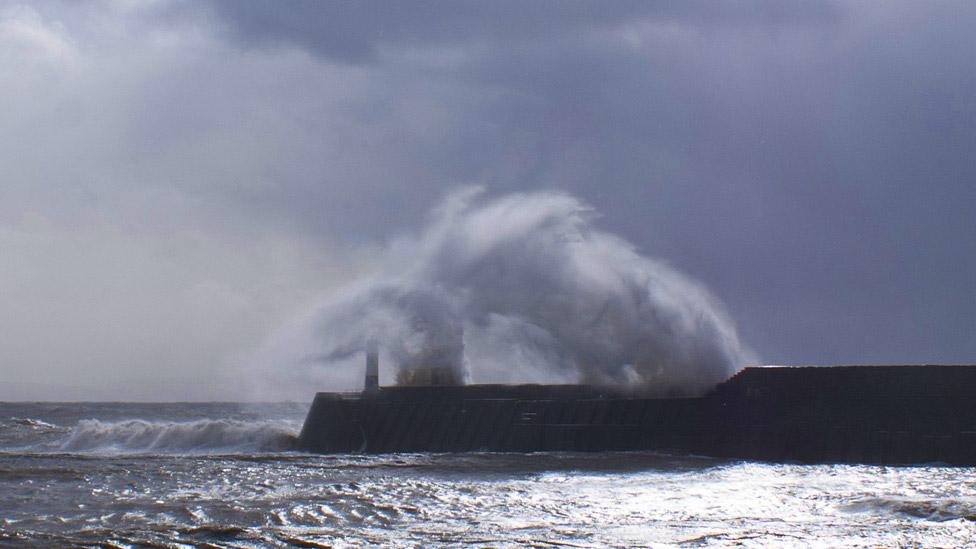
(200,436)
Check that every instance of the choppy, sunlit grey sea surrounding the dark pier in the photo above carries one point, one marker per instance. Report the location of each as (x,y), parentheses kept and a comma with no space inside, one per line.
(220,475)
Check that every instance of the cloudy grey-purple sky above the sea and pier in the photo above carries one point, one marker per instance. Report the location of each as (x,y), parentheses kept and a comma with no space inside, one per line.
(180,179)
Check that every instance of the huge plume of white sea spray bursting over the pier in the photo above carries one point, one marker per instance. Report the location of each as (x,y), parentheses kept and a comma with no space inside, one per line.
(523,288)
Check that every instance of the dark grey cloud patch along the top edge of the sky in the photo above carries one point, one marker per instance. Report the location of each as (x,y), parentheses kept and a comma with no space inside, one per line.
(356,31)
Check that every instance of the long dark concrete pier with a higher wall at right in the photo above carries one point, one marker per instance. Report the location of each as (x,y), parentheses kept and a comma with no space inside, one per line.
(853,414)
